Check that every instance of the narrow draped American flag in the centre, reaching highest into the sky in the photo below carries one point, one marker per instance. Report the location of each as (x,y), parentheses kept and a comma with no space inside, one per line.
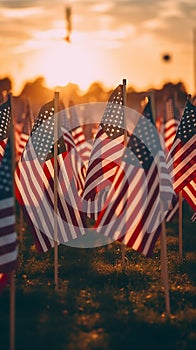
(106,154)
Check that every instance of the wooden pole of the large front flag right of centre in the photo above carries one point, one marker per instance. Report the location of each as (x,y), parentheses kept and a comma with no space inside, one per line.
(164,265)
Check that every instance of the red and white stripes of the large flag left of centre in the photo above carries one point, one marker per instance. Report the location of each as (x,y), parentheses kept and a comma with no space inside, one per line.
(35,191)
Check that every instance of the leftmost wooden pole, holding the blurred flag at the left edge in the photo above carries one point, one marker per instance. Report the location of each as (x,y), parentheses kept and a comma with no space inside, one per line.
(12,274)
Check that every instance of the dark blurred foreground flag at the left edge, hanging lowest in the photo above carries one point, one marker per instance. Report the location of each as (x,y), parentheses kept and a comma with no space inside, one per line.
(8,237)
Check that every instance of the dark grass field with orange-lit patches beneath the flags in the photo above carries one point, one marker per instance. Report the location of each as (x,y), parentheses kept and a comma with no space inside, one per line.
(99,306)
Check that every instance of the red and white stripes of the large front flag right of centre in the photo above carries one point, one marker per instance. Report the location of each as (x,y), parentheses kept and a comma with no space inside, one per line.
(132,209)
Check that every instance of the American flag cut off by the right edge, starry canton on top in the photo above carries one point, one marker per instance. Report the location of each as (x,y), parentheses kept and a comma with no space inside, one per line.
(182,155)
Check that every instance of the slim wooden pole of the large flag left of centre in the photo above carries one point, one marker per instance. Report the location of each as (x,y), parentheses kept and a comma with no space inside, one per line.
(56,107)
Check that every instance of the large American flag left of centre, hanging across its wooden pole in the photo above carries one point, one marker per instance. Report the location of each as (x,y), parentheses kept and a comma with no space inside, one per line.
(35,185)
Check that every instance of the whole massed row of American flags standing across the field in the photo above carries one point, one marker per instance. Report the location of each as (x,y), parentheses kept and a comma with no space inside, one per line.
(121,186)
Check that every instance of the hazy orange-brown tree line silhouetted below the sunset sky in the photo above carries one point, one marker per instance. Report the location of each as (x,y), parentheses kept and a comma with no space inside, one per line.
(37,93)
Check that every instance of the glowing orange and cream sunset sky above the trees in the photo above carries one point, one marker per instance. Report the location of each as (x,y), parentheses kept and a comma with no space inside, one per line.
(110,40)
